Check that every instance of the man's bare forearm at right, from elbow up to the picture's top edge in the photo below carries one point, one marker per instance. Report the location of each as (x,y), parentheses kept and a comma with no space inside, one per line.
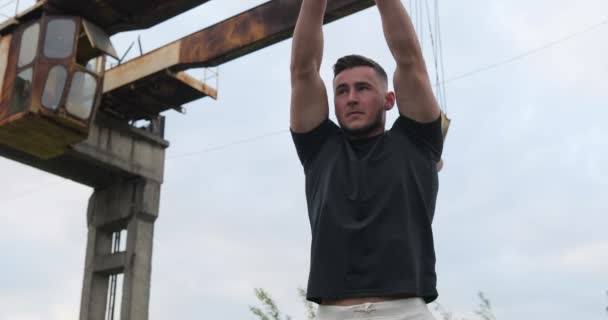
(400,33)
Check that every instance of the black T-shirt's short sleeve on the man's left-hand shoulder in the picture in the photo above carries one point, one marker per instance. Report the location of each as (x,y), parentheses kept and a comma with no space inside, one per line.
(309,144)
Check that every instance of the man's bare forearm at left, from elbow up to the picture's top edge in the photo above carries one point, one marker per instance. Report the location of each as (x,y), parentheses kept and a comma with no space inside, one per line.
(307,47)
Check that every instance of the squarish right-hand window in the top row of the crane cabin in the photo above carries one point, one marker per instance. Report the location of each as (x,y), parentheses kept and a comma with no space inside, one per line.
(59,42)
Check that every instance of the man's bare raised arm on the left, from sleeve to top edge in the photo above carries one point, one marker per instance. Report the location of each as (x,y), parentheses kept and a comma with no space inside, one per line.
(309,105)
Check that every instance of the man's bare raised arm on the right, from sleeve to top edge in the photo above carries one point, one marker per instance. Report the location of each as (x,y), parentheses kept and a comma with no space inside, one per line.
(413,88)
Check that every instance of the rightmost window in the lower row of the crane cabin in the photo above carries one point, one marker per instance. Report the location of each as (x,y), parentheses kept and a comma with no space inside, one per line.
(82,95)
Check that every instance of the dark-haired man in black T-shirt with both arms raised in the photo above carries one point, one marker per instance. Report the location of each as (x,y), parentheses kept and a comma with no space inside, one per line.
(371,193)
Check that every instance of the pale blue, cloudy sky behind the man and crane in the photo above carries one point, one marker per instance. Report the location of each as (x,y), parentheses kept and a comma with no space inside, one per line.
(521,211)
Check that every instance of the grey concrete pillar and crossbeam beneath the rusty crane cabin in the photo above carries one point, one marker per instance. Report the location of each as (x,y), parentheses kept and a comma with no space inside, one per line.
(125,166)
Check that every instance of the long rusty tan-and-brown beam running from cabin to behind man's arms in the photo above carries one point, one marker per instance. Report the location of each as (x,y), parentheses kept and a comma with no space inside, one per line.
(242,34)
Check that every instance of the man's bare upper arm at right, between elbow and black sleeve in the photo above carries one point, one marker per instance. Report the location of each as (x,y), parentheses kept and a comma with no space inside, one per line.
(414,94)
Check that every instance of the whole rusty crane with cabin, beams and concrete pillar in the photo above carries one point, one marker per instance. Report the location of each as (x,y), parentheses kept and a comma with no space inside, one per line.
(62,111)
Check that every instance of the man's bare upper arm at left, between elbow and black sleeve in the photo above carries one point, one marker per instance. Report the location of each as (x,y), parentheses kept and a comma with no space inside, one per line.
(309,104)
